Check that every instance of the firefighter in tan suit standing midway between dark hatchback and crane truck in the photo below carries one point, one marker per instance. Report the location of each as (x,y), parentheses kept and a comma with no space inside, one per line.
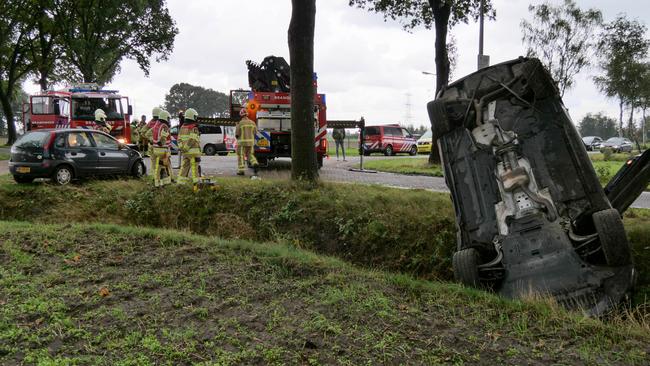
(189,144)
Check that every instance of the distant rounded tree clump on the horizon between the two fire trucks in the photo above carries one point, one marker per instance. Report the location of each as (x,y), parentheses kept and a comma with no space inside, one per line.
(207,102)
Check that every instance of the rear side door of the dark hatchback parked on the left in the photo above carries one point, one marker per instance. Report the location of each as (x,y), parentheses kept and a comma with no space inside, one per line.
(78,149)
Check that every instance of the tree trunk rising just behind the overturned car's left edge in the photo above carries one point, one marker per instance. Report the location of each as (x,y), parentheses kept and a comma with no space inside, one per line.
(441,12)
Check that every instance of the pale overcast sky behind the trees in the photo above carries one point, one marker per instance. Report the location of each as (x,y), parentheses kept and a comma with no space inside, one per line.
(366,67)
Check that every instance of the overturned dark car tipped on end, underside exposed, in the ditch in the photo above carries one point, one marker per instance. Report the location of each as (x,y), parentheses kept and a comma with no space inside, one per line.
(532,217)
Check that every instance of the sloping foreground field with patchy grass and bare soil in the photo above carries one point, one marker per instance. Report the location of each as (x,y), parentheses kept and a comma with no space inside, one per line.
(107,295)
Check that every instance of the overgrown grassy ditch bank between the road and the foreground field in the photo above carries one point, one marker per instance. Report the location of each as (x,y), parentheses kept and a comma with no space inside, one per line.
(408,231)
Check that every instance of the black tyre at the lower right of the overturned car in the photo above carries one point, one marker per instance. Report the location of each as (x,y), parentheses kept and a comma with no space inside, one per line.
(613,241)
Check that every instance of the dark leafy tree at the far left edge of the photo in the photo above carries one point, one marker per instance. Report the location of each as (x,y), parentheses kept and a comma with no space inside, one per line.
(16,40)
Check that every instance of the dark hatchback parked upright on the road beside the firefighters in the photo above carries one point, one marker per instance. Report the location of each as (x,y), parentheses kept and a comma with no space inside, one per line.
(67,154)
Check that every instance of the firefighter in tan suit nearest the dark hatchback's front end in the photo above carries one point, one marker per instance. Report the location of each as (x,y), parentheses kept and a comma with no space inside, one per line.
(160,140)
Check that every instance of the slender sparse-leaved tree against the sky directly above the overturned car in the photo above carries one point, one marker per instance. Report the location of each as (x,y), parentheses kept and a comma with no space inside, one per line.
(563,37)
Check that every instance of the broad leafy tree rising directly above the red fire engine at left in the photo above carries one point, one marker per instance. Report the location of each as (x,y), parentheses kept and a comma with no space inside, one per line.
(98,34)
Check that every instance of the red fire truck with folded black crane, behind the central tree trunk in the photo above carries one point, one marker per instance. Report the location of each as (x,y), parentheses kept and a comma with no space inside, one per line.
(269,105)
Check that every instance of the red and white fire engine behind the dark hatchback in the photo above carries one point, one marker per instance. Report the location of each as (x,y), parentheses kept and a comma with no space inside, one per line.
(74,107)
